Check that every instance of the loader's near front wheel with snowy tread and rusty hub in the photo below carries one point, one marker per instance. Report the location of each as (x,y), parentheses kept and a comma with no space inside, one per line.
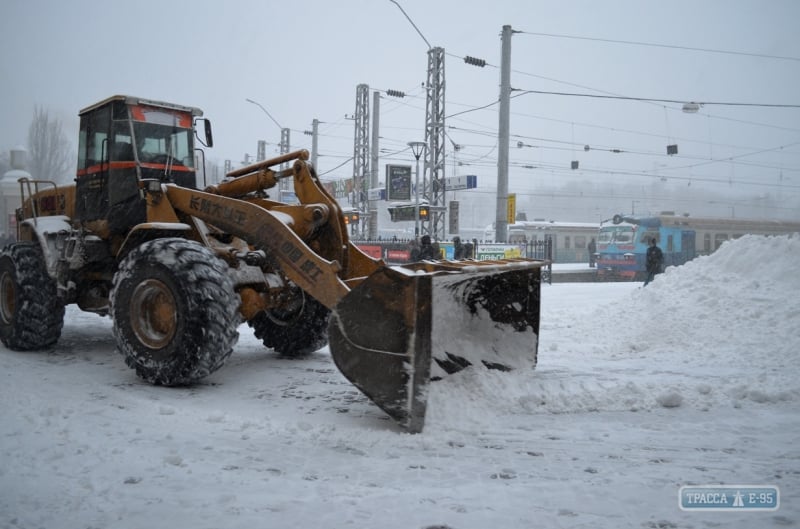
(175,311)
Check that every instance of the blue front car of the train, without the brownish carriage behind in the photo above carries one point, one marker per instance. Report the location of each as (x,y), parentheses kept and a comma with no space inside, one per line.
(622,245)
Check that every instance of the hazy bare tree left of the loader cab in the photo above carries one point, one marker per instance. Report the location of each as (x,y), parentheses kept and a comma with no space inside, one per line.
(50,154)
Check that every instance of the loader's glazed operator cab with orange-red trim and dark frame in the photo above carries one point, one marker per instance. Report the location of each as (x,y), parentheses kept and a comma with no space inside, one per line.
(121,141)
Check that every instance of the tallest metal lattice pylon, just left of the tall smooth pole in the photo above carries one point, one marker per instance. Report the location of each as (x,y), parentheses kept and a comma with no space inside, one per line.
(434,179)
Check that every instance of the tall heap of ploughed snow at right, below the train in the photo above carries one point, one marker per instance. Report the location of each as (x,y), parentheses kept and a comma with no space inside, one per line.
(745,294)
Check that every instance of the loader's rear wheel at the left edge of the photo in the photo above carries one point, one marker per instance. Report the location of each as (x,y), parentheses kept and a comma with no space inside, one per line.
(31,315)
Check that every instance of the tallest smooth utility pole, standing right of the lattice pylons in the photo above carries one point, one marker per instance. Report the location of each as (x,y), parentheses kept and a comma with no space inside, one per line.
(501,218)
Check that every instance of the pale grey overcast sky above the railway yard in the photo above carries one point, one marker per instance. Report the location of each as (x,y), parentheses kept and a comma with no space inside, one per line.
(303,60)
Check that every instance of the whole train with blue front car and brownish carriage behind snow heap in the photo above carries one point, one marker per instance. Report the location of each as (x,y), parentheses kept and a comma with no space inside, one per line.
(622,241)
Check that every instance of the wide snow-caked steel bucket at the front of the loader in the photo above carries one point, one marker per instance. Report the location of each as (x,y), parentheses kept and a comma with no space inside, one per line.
(405,326)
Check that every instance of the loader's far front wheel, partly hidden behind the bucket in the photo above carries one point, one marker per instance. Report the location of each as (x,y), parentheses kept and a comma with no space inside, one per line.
(295,332)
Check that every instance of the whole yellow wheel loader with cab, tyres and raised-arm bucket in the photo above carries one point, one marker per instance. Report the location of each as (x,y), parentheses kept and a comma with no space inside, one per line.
(178,269)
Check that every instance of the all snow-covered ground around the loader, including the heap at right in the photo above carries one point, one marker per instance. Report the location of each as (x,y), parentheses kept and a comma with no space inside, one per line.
(692,380)
